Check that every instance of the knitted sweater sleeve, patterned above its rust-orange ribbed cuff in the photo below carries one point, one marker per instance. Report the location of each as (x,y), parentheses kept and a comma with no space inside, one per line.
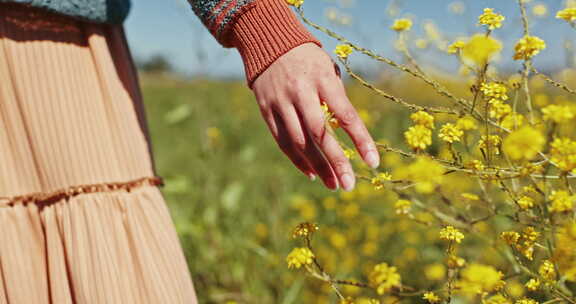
(261,30)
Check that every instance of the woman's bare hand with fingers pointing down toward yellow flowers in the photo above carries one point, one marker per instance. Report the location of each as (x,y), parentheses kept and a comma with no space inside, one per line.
(289,94)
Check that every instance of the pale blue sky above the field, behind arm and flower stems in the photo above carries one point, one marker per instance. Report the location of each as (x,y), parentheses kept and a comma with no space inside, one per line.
(170,27)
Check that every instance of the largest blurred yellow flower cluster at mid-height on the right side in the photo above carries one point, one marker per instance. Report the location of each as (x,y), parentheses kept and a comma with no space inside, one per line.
(524,143)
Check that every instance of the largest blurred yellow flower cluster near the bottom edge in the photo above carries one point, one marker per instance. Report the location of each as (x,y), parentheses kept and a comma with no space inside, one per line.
(478,278)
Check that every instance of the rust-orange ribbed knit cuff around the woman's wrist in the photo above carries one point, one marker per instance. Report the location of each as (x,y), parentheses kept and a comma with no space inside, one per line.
(264,33)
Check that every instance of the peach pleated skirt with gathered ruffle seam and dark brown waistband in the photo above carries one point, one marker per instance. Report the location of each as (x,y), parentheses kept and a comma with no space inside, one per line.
(81,217)
